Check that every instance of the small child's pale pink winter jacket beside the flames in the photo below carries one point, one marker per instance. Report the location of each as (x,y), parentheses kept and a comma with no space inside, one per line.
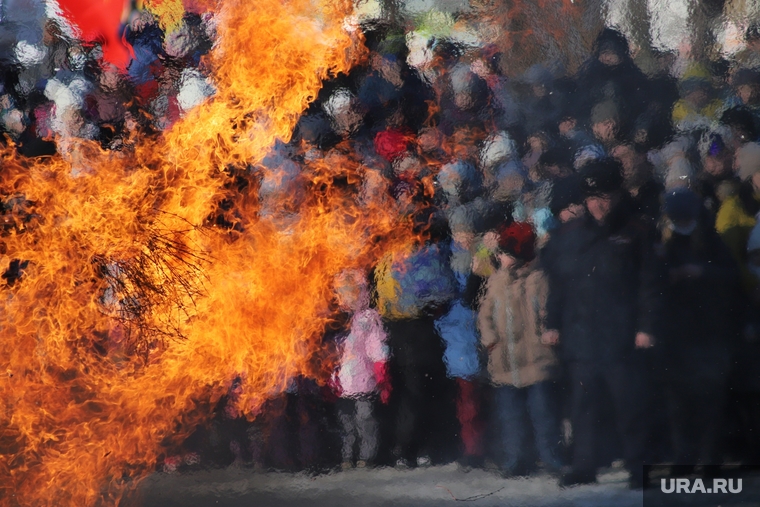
(361,348)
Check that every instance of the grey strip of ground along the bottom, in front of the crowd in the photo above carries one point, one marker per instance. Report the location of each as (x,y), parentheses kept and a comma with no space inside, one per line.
(422,487)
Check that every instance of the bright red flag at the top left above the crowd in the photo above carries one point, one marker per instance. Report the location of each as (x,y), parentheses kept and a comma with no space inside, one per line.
(100,20)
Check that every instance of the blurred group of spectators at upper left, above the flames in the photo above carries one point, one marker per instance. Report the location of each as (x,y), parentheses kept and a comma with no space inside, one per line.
(63,89)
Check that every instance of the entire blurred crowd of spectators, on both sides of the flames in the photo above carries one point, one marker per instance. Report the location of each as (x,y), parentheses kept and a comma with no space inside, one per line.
(582,284)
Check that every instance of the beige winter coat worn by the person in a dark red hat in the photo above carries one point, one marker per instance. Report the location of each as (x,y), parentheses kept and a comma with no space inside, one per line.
(510,323)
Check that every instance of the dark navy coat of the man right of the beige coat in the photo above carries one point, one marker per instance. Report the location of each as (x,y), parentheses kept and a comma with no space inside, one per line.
(605,285)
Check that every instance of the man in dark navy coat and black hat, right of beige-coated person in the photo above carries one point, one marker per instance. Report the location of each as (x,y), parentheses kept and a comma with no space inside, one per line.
(604,290)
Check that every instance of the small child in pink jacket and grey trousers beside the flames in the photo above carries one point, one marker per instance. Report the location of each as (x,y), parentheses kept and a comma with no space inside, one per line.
(360,375)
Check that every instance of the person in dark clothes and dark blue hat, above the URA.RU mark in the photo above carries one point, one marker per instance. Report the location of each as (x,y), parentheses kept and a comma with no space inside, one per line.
(699,325)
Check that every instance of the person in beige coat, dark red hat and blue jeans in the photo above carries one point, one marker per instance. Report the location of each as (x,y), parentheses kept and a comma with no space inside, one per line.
(520,366)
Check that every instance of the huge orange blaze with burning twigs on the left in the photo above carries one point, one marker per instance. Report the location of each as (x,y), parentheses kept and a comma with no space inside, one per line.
(137,309)
